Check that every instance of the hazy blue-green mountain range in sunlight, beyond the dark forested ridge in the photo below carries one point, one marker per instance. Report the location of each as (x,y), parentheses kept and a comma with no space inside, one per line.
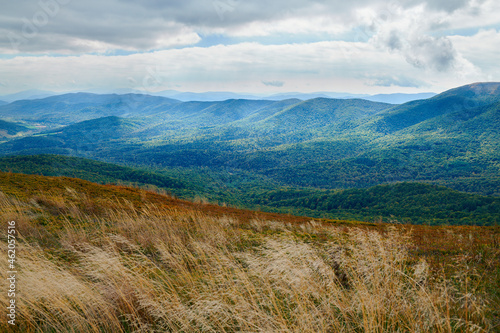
(247,147)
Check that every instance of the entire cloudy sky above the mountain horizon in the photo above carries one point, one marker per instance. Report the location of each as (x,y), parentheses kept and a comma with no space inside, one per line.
(255,46)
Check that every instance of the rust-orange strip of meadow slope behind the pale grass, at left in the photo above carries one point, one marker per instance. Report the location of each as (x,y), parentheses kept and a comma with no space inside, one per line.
(95,197)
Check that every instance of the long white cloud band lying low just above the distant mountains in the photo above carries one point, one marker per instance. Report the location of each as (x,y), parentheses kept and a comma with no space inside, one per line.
(322,66)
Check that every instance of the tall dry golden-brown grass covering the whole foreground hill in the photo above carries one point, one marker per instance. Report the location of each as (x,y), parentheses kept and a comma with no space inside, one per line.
(161,268)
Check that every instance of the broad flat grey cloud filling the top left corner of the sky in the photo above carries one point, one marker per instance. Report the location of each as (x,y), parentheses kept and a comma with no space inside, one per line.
(53,26)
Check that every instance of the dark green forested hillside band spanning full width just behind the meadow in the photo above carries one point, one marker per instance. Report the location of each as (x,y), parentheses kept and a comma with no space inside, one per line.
(414,203)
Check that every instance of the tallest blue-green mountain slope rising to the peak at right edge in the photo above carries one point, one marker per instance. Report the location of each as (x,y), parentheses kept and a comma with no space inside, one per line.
(456,145)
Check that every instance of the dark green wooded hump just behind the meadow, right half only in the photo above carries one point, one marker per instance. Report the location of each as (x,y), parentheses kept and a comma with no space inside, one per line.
(413,203)
